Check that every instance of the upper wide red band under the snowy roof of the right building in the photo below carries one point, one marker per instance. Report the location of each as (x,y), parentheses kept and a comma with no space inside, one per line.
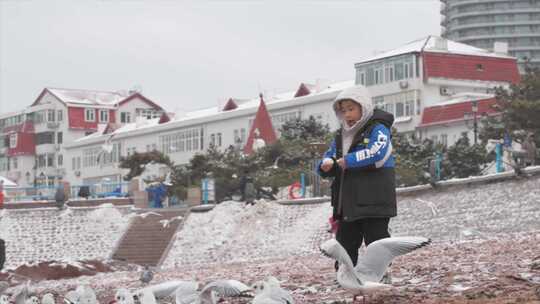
(455,66)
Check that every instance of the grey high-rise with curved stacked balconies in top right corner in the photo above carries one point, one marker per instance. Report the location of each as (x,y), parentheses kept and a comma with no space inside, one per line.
(481,23)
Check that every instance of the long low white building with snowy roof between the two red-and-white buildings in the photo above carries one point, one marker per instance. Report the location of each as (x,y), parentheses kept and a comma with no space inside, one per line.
(194,132)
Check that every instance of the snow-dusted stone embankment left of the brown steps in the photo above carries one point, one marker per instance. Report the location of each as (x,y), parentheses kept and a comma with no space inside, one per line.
(37,235)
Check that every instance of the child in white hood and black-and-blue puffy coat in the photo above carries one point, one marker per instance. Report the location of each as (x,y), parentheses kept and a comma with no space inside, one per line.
(361,162)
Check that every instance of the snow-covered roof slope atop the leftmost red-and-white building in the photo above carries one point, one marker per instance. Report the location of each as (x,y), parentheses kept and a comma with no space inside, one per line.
(88,97)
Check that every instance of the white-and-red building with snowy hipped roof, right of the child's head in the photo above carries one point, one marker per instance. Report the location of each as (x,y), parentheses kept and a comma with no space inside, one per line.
(431,84)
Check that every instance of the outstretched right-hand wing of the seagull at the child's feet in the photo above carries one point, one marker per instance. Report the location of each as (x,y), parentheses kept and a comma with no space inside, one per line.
(379,254)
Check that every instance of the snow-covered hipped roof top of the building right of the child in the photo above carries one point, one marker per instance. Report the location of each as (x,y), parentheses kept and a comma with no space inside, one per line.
(434,44)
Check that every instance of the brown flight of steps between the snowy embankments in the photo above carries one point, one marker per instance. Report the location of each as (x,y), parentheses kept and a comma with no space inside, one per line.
(149,236)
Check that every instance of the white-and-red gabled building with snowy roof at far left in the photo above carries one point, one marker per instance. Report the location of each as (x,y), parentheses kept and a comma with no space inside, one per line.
(32,150)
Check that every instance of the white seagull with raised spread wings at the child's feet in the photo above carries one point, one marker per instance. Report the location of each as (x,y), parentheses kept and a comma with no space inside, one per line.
(367,274)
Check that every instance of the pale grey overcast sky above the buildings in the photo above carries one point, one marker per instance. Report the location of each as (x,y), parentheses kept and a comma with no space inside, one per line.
(187,55)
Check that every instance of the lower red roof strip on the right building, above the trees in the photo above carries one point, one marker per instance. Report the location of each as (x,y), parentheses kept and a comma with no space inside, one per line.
(455,112)
